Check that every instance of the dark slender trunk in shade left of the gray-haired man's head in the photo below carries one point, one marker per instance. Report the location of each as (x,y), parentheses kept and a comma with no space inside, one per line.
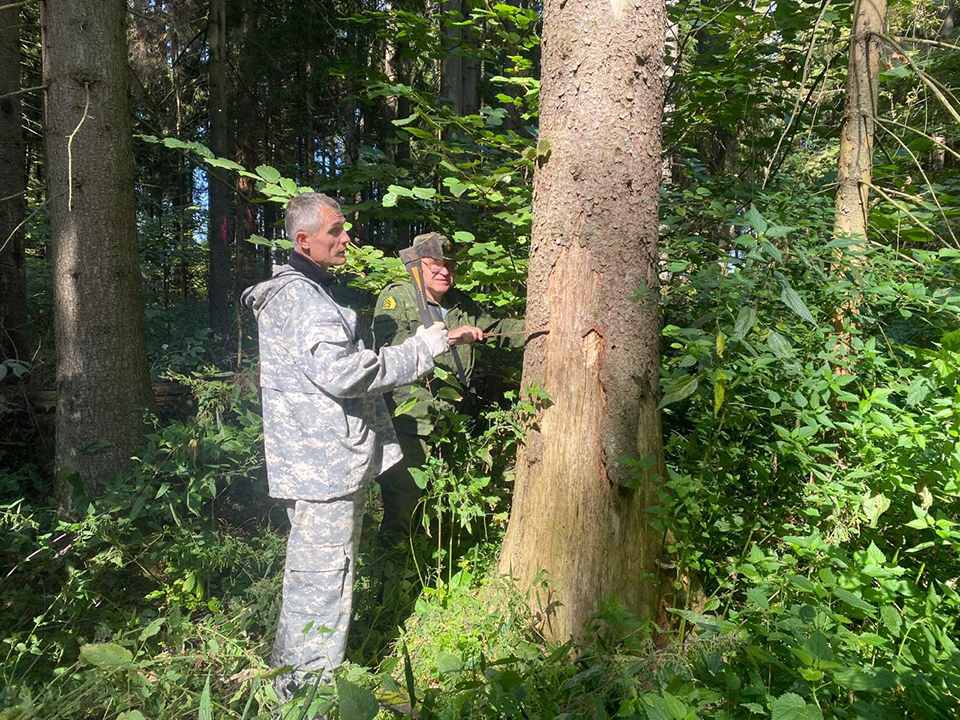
(218,234)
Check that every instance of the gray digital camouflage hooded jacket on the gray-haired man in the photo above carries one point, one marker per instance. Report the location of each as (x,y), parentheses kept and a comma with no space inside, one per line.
(327,431)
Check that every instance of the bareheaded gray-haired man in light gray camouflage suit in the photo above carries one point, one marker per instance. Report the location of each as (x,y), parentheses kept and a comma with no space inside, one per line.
(327,431)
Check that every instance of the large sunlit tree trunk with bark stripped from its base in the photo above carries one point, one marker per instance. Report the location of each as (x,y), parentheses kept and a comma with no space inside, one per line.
(594,245)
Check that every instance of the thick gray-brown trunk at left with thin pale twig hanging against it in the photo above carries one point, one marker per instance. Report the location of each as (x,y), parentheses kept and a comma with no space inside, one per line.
(103,383)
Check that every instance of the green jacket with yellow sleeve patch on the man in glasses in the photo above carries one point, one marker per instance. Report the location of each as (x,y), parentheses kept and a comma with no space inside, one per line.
(396,318)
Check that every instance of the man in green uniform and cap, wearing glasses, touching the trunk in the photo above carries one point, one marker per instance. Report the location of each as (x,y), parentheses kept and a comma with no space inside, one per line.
(397,318)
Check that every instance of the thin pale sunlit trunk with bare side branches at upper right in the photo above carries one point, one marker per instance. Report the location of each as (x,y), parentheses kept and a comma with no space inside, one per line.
(855,162)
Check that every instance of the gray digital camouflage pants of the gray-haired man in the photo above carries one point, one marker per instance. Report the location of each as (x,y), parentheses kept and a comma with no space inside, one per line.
(317,587)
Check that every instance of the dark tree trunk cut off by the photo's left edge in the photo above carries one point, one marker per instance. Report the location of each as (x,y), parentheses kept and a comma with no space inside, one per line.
(13,283)
